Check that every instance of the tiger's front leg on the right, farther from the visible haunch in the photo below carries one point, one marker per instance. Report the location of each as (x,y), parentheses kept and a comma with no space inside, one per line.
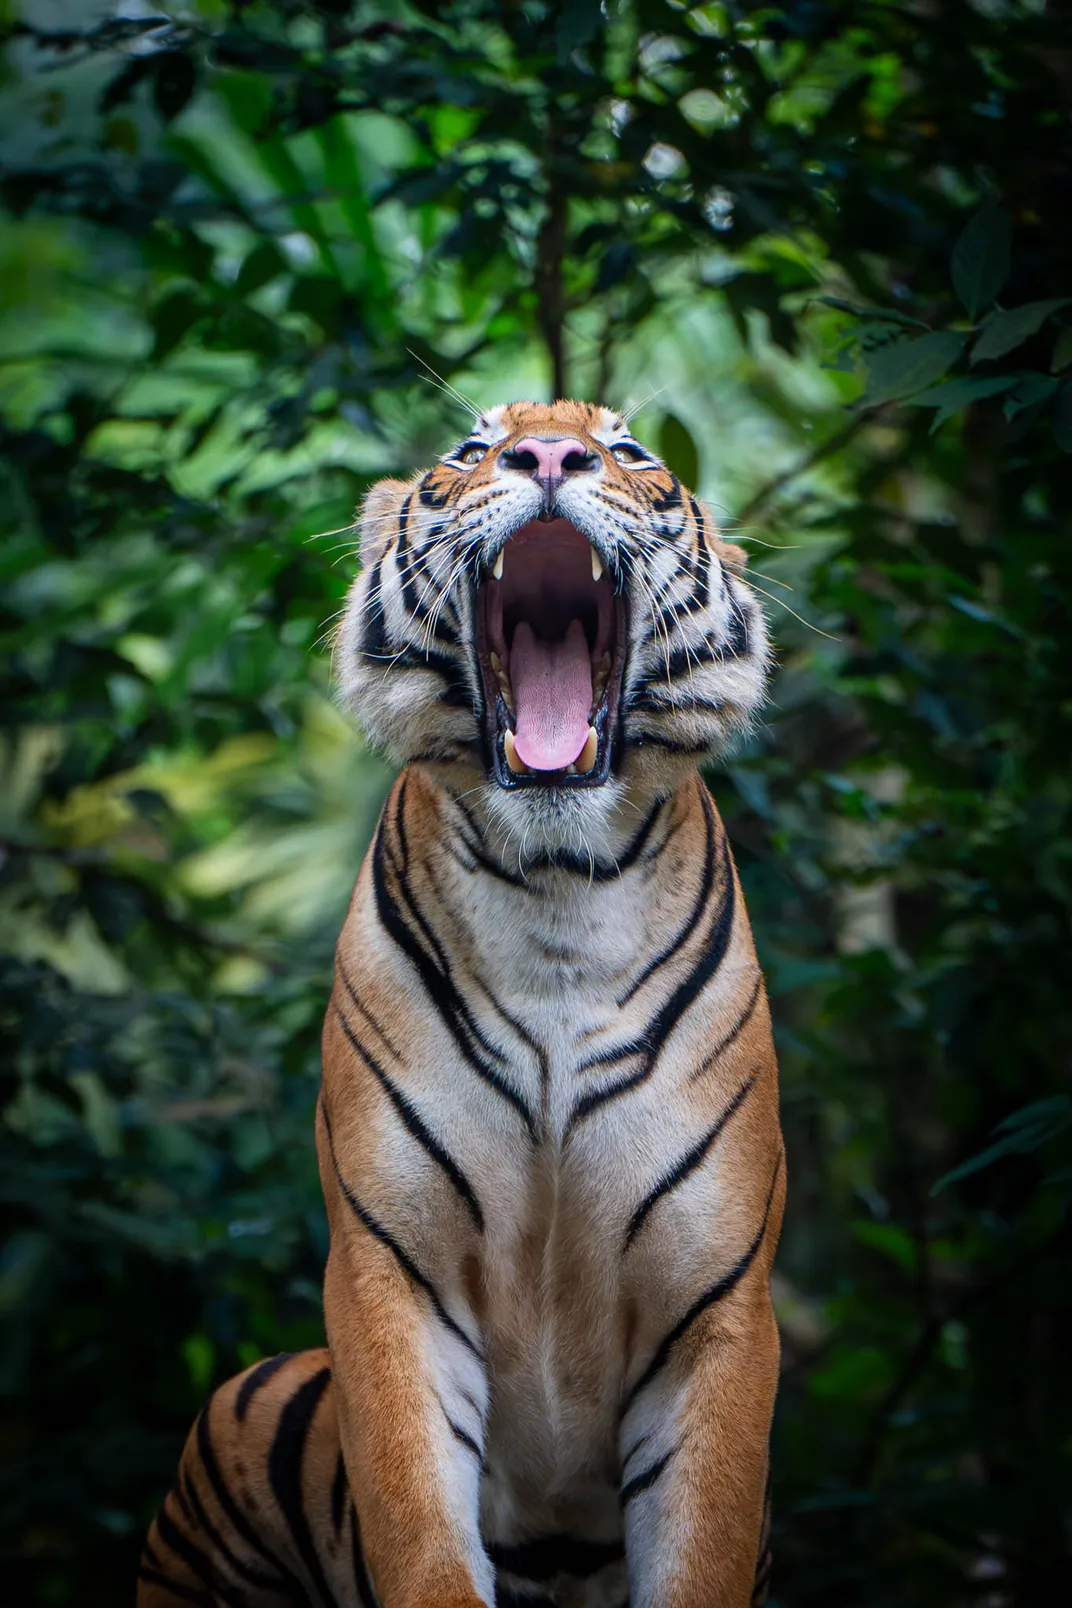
(695,1442)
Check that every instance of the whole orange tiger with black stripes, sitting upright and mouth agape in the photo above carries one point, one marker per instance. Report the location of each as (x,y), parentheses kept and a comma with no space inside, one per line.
(547,1130)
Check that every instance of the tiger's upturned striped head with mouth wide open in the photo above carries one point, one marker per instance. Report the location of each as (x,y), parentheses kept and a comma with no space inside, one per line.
(550,617)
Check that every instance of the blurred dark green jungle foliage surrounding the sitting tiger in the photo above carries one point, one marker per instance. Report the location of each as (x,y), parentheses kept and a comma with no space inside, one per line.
(827,252)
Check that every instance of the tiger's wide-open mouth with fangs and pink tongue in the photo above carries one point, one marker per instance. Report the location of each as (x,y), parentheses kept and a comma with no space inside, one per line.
(552,650)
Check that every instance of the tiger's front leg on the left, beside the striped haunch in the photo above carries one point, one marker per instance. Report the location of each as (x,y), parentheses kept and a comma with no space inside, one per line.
(411,1389)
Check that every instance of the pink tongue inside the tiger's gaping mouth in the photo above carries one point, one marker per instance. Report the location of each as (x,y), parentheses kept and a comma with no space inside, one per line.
(552,684)
